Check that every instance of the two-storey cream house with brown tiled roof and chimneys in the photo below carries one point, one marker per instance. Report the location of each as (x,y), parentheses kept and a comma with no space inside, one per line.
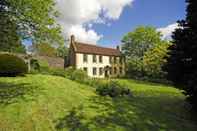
(98,62)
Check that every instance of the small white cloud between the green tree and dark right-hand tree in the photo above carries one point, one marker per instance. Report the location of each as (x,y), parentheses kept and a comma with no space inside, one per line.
(168,30)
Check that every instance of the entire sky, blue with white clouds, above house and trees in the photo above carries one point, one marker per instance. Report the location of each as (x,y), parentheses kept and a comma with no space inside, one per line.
(105,22)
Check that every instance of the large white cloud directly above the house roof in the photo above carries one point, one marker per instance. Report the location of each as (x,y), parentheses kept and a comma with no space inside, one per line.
(78,16)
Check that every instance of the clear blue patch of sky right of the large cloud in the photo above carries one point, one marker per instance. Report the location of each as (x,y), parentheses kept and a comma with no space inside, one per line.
(157,13)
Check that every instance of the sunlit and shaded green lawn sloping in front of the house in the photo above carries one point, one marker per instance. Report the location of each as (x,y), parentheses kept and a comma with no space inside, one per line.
(42,103)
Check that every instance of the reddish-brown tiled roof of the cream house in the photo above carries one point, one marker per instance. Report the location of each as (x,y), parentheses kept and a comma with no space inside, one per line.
(93,49)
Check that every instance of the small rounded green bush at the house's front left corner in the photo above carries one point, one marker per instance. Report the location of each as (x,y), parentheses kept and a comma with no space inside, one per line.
(79,76)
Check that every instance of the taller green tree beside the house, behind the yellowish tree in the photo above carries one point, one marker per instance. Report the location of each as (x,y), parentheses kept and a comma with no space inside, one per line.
(136,44)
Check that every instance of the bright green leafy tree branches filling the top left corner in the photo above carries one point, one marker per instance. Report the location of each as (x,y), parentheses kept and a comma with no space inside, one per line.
(33,19)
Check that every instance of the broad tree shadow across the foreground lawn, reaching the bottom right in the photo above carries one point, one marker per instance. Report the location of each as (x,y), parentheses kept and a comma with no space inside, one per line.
(131,114)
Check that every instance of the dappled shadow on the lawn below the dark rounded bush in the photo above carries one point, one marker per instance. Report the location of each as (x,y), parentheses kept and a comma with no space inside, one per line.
(12,93)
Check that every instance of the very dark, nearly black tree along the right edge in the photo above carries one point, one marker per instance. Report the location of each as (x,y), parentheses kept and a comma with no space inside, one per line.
(182,63)
